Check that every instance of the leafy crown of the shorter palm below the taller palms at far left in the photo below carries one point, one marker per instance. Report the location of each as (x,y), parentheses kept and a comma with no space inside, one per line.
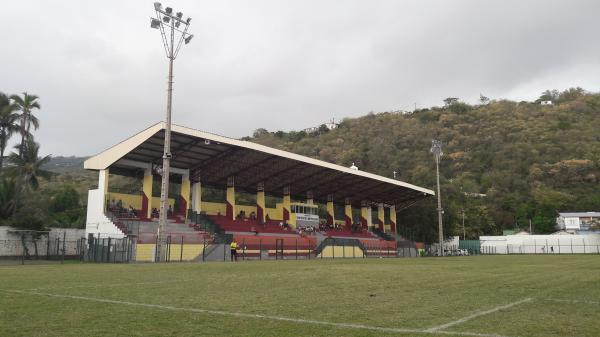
(28,165)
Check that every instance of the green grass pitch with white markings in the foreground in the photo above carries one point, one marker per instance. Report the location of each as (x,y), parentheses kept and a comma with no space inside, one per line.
(460,296)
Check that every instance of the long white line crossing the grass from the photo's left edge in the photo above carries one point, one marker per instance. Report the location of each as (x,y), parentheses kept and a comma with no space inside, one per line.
(257,316)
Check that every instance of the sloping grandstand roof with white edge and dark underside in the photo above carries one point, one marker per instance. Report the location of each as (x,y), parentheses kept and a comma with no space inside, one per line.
(214,158)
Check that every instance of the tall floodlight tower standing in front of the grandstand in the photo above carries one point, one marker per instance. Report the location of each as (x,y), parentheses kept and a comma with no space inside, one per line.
(172,24)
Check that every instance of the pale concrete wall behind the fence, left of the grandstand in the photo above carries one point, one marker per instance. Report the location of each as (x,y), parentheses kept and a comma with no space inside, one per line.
(11,244)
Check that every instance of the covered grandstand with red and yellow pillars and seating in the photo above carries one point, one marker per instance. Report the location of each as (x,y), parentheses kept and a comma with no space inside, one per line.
(303,222)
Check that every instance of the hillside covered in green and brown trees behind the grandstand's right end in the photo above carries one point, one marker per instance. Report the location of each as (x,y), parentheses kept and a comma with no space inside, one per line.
(529,160)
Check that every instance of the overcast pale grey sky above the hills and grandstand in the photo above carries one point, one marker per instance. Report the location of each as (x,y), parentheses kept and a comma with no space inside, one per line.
(101,72)
